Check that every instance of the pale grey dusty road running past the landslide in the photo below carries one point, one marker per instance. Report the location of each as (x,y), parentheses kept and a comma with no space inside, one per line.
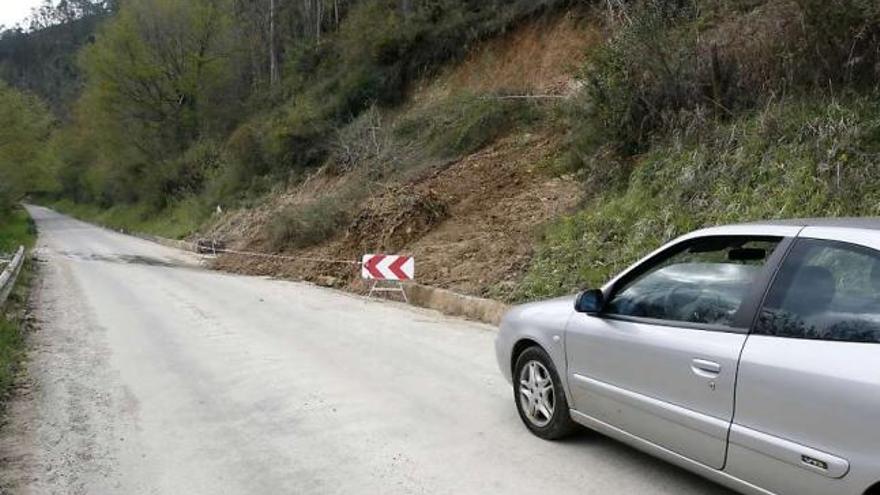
(150,375)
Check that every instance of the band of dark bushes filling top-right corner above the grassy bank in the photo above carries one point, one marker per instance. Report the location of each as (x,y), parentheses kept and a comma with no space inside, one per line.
(682,66)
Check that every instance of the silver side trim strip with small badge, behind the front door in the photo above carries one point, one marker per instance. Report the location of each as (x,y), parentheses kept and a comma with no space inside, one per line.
(789,452)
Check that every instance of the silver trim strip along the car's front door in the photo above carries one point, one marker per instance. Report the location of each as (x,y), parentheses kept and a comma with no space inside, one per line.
(709,425)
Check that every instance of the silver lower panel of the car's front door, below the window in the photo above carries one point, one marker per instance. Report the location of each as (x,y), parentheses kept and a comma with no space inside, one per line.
(645,380)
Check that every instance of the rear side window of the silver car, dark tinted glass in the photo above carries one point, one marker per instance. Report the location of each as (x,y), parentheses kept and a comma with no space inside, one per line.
(824,290)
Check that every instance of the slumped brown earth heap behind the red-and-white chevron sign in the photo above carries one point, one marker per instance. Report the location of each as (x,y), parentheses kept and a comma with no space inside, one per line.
(470,224)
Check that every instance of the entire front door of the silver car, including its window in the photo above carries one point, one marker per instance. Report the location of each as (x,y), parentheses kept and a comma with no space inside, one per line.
(660,361)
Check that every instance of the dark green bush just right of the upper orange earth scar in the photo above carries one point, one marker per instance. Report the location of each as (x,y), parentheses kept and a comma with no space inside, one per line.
(649,71)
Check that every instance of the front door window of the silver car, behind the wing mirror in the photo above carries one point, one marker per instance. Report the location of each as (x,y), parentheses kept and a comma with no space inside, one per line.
(703,281)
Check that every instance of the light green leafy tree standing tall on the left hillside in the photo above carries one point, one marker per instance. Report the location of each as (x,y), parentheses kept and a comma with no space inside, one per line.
(162,75)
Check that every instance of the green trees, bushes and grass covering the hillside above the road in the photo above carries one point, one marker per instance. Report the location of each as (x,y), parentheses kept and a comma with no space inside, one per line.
(681,114)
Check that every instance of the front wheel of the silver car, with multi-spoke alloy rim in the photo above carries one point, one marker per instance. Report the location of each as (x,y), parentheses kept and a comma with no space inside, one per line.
(539,396)
